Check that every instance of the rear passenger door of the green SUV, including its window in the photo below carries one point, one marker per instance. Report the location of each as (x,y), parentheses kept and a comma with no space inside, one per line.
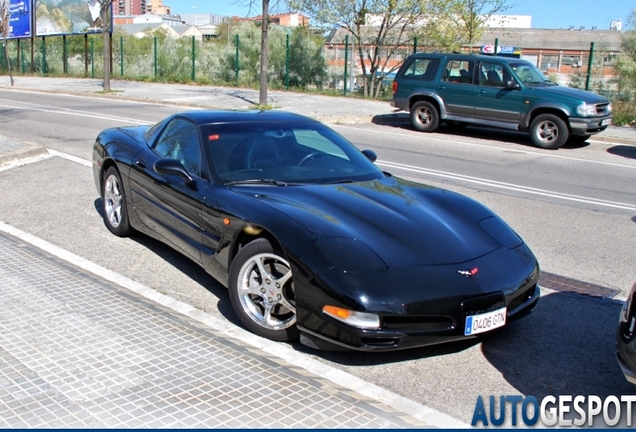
(456,88)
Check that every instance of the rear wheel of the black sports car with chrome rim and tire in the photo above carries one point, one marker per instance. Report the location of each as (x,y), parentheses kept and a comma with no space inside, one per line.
(115,204)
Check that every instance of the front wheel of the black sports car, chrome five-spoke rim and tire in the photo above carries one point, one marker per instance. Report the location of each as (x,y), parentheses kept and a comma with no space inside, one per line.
(262,291)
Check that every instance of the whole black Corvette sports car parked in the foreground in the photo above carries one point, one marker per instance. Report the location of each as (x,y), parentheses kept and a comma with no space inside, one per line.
(311,238)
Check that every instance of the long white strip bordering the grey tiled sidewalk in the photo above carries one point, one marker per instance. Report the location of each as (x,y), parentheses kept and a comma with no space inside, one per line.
(414,409)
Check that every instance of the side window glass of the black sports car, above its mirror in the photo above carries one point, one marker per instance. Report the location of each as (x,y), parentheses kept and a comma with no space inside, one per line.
(180,141)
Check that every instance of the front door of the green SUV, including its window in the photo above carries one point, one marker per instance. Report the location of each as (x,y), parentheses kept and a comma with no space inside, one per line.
(494,101)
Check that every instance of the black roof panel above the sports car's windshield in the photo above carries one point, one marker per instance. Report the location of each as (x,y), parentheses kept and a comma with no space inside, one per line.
(241,116)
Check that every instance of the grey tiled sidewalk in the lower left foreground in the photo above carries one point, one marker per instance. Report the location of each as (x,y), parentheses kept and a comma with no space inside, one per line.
(79,351)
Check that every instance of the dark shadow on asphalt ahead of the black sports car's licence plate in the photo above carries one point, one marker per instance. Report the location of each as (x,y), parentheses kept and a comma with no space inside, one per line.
(567,346)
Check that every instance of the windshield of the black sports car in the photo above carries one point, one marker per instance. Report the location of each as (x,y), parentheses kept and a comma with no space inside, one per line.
(283,153)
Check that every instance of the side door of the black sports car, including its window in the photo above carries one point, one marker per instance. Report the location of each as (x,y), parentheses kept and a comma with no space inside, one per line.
(166,203)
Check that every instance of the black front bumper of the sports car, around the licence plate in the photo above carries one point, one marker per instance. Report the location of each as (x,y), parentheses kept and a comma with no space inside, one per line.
(418,306)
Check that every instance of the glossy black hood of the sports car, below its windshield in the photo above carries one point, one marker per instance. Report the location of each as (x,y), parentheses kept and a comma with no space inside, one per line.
(404,223)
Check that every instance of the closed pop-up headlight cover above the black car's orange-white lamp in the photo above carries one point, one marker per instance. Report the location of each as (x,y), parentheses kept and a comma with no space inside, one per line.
(348,254)
